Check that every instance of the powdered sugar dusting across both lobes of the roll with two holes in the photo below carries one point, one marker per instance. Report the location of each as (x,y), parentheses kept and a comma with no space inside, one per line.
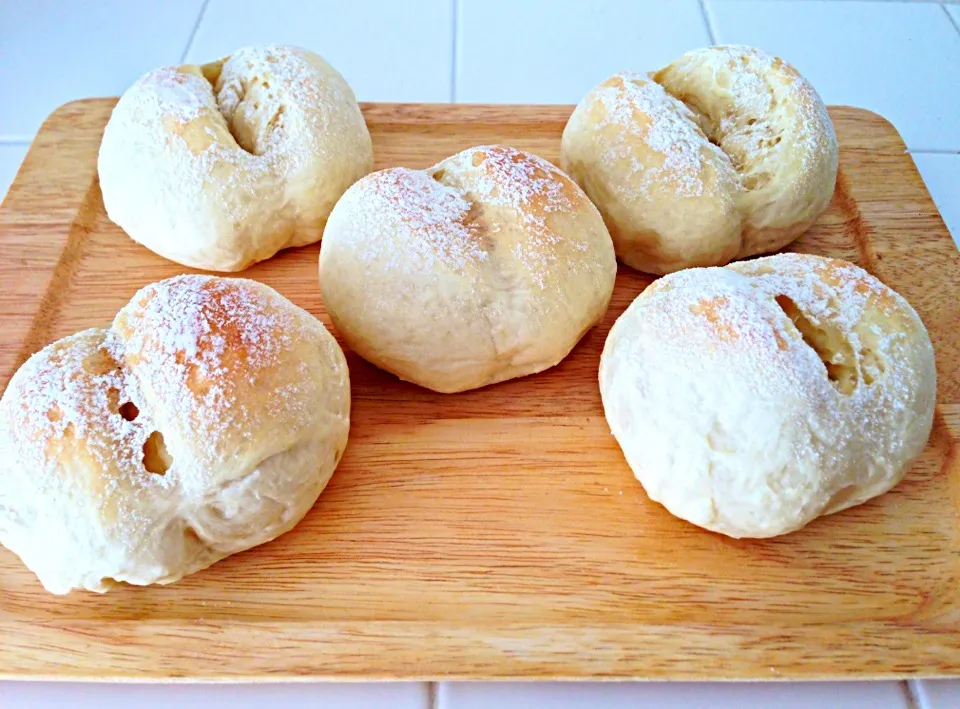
(182,346)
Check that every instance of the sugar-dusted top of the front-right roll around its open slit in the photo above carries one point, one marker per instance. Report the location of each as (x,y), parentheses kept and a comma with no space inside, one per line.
(847,327)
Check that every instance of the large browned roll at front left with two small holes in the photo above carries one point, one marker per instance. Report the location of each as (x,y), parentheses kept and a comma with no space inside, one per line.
(206,420)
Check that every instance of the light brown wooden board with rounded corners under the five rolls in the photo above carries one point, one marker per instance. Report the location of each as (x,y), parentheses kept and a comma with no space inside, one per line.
(499,533)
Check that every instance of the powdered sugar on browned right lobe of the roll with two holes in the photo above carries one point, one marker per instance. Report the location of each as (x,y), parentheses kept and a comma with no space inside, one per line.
(193,342)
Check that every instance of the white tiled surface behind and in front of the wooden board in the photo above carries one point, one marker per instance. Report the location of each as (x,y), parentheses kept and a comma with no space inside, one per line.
(901,59)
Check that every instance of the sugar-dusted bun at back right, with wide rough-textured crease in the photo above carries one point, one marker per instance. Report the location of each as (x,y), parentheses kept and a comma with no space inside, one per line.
(726,153)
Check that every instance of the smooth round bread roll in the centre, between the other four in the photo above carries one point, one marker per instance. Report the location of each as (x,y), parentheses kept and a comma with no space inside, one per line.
(490,265)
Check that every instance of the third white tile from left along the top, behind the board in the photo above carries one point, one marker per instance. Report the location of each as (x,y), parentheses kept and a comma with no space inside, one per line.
(561,55)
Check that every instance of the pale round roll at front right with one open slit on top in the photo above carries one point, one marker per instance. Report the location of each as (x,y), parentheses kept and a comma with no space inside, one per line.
(751,399)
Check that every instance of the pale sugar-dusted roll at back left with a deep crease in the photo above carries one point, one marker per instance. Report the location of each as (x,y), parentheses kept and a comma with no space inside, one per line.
(222,165)
